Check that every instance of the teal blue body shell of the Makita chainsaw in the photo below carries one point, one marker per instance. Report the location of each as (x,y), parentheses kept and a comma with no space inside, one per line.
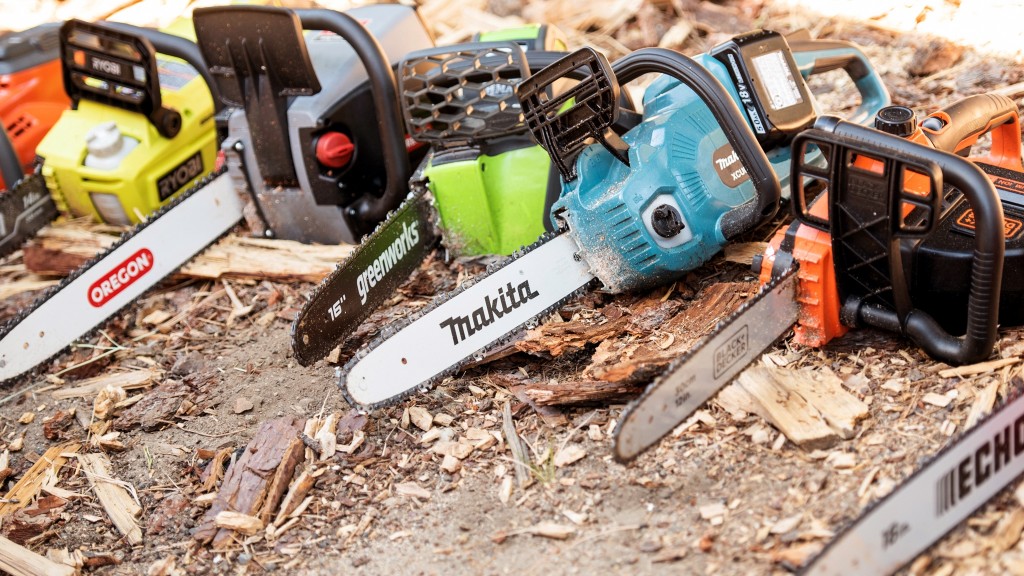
(678,156)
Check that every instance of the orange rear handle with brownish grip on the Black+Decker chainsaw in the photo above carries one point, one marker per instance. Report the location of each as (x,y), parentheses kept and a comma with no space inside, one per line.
(958,128)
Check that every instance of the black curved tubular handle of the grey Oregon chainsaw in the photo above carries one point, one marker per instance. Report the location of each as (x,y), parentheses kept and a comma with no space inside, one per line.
(390,119)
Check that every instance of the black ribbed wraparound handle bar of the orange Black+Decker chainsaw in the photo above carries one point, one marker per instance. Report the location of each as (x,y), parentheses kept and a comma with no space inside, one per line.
(987,270)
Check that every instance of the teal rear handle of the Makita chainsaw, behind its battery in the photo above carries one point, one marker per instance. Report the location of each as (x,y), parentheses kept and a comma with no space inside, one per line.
(820,57)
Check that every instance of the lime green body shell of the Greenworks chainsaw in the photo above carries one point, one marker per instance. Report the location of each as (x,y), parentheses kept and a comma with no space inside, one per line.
(491,197)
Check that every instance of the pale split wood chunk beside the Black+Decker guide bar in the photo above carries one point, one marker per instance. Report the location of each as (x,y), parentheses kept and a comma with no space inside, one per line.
(787,410)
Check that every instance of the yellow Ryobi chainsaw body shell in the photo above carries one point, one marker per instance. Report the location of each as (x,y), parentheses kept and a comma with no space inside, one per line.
(152,174)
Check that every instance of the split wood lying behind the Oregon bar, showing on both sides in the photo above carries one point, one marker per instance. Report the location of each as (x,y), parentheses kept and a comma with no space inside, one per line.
(59,251)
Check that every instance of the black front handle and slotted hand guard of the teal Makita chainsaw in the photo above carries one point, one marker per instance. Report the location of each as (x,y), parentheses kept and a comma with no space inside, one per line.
(564,134)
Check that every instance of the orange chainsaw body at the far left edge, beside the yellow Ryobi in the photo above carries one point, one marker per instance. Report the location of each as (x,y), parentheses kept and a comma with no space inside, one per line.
(32,97)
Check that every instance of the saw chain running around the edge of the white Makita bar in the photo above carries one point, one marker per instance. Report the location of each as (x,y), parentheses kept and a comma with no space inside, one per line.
(473,357)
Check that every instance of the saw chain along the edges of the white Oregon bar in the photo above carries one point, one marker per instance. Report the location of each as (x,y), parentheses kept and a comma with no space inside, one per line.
(52,292)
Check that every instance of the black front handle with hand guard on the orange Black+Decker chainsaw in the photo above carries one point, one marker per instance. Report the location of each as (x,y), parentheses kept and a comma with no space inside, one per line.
(847,140)
